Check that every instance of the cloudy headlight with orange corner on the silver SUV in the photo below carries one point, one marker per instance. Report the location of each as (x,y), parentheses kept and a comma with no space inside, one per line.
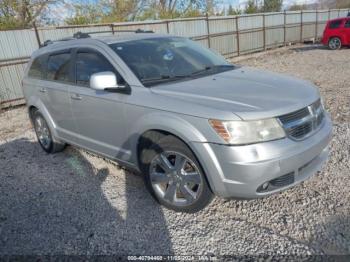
(248,132)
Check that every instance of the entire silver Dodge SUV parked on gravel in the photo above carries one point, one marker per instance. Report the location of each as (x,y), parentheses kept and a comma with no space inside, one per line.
(193,124)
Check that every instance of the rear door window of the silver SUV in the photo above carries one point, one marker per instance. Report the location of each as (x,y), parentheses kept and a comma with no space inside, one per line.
(58,67)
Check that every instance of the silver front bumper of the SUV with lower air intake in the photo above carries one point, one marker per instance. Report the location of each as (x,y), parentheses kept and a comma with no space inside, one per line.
(240,171)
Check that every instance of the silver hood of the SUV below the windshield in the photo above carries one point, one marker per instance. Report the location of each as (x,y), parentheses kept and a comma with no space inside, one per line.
(246,92)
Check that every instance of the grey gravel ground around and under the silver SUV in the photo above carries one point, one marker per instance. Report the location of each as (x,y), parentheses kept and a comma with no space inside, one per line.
(76,203)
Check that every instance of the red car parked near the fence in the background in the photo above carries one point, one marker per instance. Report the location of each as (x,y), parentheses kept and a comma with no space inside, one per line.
(337,33)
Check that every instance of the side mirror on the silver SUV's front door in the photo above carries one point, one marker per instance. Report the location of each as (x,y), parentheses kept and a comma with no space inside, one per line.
(104,81)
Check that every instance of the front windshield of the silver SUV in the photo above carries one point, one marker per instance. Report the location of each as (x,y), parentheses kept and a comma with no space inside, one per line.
(158,60)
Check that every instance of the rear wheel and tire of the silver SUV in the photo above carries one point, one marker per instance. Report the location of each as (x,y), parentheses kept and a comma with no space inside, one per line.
(44,135)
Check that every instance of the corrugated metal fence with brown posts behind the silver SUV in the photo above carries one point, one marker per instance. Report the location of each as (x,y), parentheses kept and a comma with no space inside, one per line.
(229,35)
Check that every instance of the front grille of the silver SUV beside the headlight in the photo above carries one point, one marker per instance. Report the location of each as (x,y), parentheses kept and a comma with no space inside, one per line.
(303,122)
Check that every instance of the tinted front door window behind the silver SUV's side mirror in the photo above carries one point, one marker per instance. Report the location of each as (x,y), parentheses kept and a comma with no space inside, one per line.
(88,63)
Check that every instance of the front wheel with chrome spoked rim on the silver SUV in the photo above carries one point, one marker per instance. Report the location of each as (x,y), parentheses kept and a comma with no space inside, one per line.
(178,183)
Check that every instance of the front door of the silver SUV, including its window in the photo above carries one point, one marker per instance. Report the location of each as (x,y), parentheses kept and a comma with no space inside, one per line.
(99,115)
